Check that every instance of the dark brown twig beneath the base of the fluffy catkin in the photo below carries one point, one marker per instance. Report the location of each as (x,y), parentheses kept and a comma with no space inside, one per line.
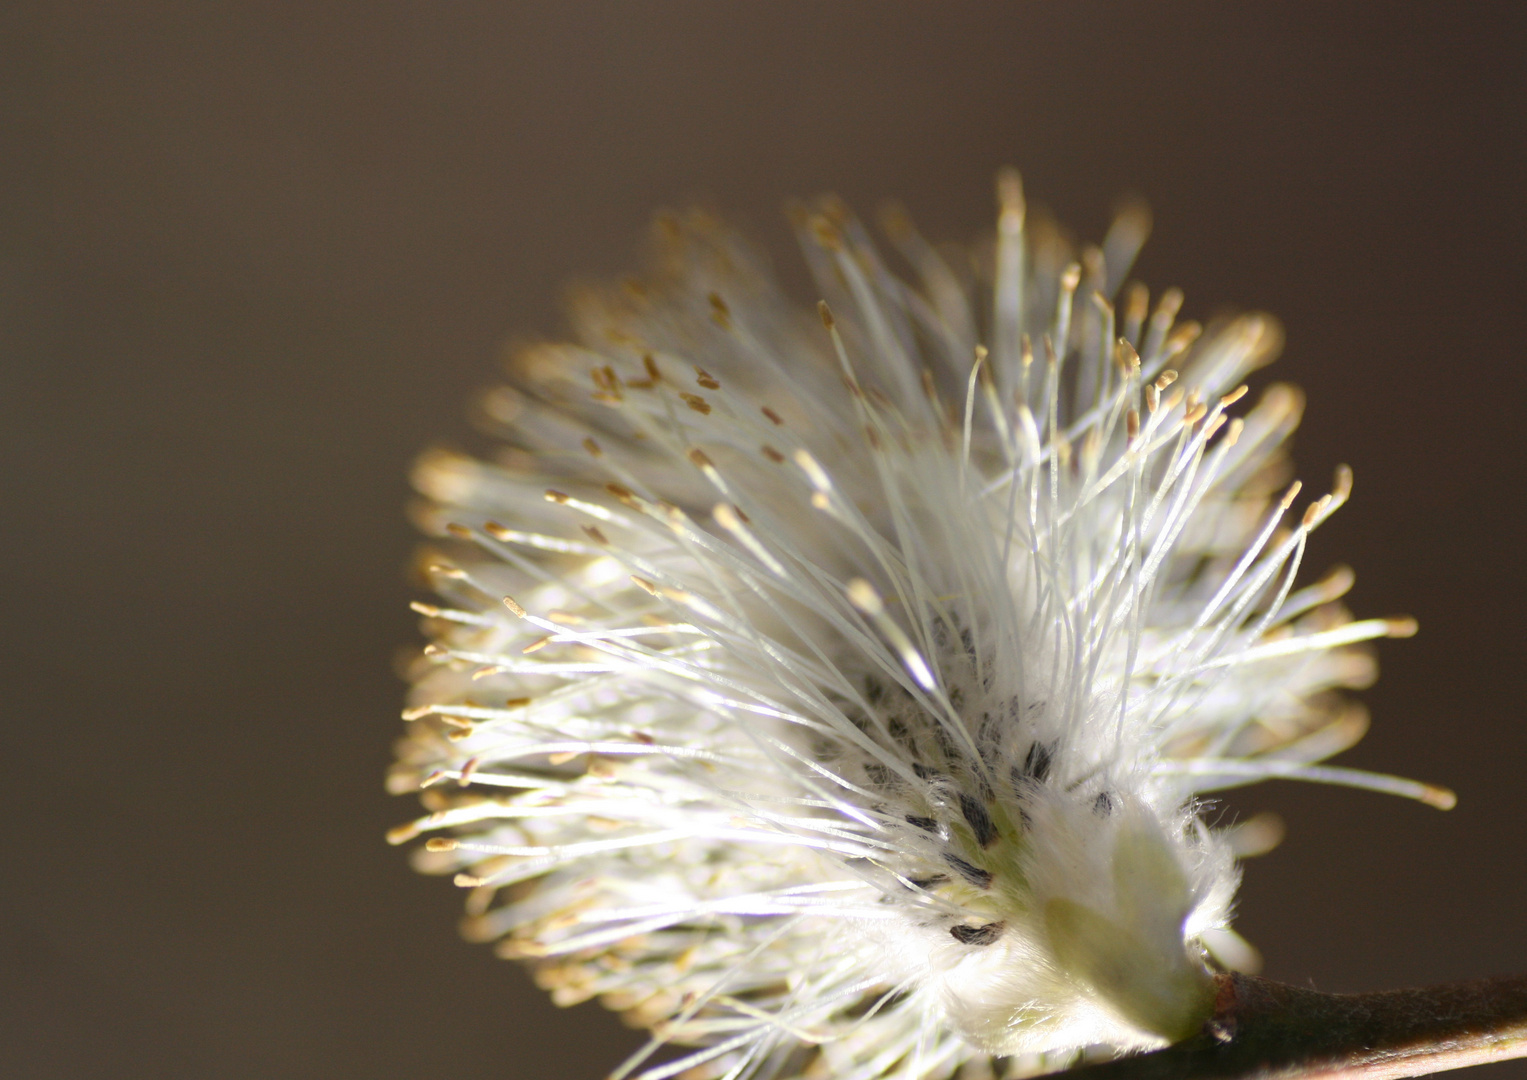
(1270,1032)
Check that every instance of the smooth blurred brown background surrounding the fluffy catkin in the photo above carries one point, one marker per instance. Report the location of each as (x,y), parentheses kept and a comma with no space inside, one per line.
(256,256)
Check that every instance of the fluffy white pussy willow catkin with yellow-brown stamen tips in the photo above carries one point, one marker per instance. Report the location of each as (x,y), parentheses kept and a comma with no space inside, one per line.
(835,693)
